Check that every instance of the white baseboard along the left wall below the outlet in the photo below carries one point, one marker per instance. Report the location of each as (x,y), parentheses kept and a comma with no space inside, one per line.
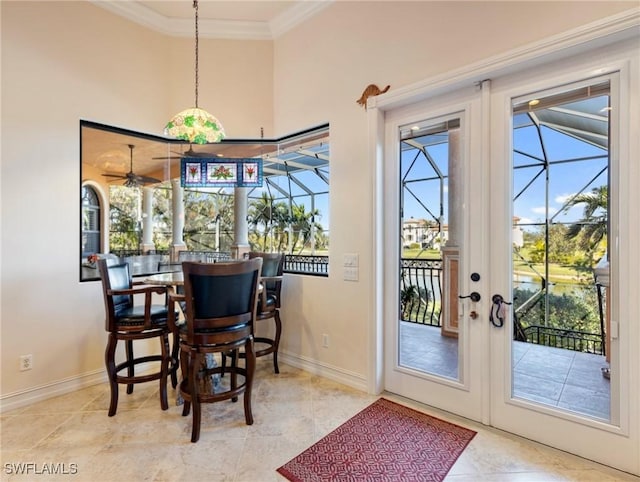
(23,398)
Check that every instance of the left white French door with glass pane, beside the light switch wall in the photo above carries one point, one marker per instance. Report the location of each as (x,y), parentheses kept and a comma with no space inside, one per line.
(432,204)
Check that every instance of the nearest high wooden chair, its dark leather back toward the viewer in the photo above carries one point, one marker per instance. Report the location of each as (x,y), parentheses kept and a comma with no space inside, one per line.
(221,300)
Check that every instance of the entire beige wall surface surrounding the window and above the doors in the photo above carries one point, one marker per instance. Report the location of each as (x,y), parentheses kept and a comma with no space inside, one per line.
(65,61)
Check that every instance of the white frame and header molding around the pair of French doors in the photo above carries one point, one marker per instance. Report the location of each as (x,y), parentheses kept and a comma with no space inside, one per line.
(594,39)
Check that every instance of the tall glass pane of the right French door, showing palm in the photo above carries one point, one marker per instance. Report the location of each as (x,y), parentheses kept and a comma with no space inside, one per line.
(560,244)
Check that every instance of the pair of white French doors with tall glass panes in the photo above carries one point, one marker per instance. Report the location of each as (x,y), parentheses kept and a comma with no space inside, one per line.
(504,227)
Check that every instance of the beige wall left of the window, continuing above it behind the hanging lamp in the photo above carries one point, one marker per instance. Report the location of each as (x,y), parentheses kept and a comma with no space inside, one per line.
(62,62)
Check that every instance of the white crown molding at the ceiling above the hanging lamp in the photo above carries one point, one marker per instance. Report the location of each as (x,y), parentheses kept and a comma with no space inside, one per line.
(209,28)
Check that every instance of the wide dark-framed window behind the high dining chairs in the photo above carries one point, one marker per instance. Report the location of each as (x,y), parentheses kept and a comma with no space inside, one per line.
(289,213)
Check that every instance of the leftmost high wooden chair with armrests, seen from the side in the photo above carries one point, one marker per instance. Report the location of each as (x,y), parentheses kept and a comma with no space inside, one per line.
(128,322)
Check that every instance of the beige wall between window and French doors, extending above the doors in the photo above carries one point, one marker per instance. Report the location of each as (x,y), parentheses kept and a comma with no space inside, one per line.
(346,47)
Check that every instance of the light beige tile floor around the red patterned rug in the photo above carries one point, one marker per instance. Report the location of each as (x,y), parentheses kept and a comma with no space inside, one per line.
(292,410)
